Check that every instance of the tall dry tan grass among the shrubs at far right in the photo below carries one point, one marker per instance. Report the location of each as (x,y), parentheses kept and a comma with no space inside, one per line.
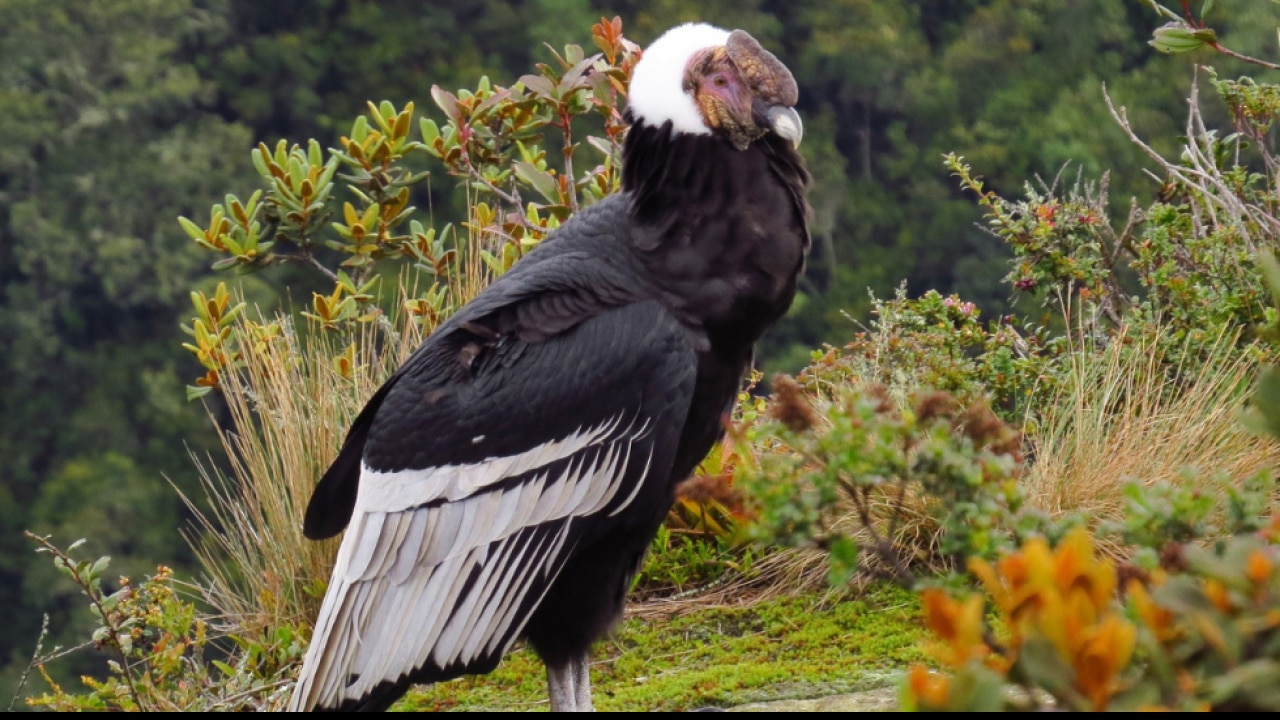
(1124,413)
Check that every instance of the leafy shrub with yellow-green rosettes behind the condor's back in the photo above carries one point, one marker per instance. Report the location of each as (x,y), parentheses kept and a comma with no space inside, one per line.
(492,140)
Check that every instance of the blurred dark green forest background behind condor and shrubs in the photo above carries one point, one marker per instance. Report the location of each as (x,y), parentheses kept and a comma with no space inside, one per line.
(120,116)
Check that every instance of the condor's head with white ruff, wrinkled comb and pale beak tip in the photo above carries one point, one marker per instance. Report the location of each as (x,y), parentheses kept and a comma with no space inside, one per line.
(706,80)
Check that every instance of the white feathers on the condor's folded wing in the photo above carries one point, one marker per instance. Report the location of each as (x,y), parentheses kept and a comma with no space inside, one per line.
(415,540)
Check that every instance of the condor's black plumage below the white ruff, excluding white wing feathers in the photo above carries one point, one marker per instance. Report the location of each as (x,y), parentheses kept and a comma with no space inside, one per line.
(643,308)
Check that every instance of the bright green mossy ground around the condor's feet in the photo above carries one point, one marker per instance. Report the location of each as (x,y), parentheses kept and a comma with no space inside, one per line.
(792,648)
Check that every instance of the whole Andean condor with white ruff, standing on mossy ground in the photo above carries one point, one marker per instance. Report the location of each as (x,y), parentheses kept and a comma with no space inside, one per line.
(508,480)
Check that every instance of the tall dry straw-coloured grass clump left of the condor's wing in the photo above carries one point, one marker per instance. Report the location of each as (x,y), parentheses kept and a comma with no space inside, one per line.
(287,412)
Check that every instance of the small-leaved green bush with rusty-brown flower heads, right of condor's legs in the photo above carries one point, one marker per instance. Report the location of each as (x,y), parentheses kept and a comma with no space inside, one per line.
(925,485)
